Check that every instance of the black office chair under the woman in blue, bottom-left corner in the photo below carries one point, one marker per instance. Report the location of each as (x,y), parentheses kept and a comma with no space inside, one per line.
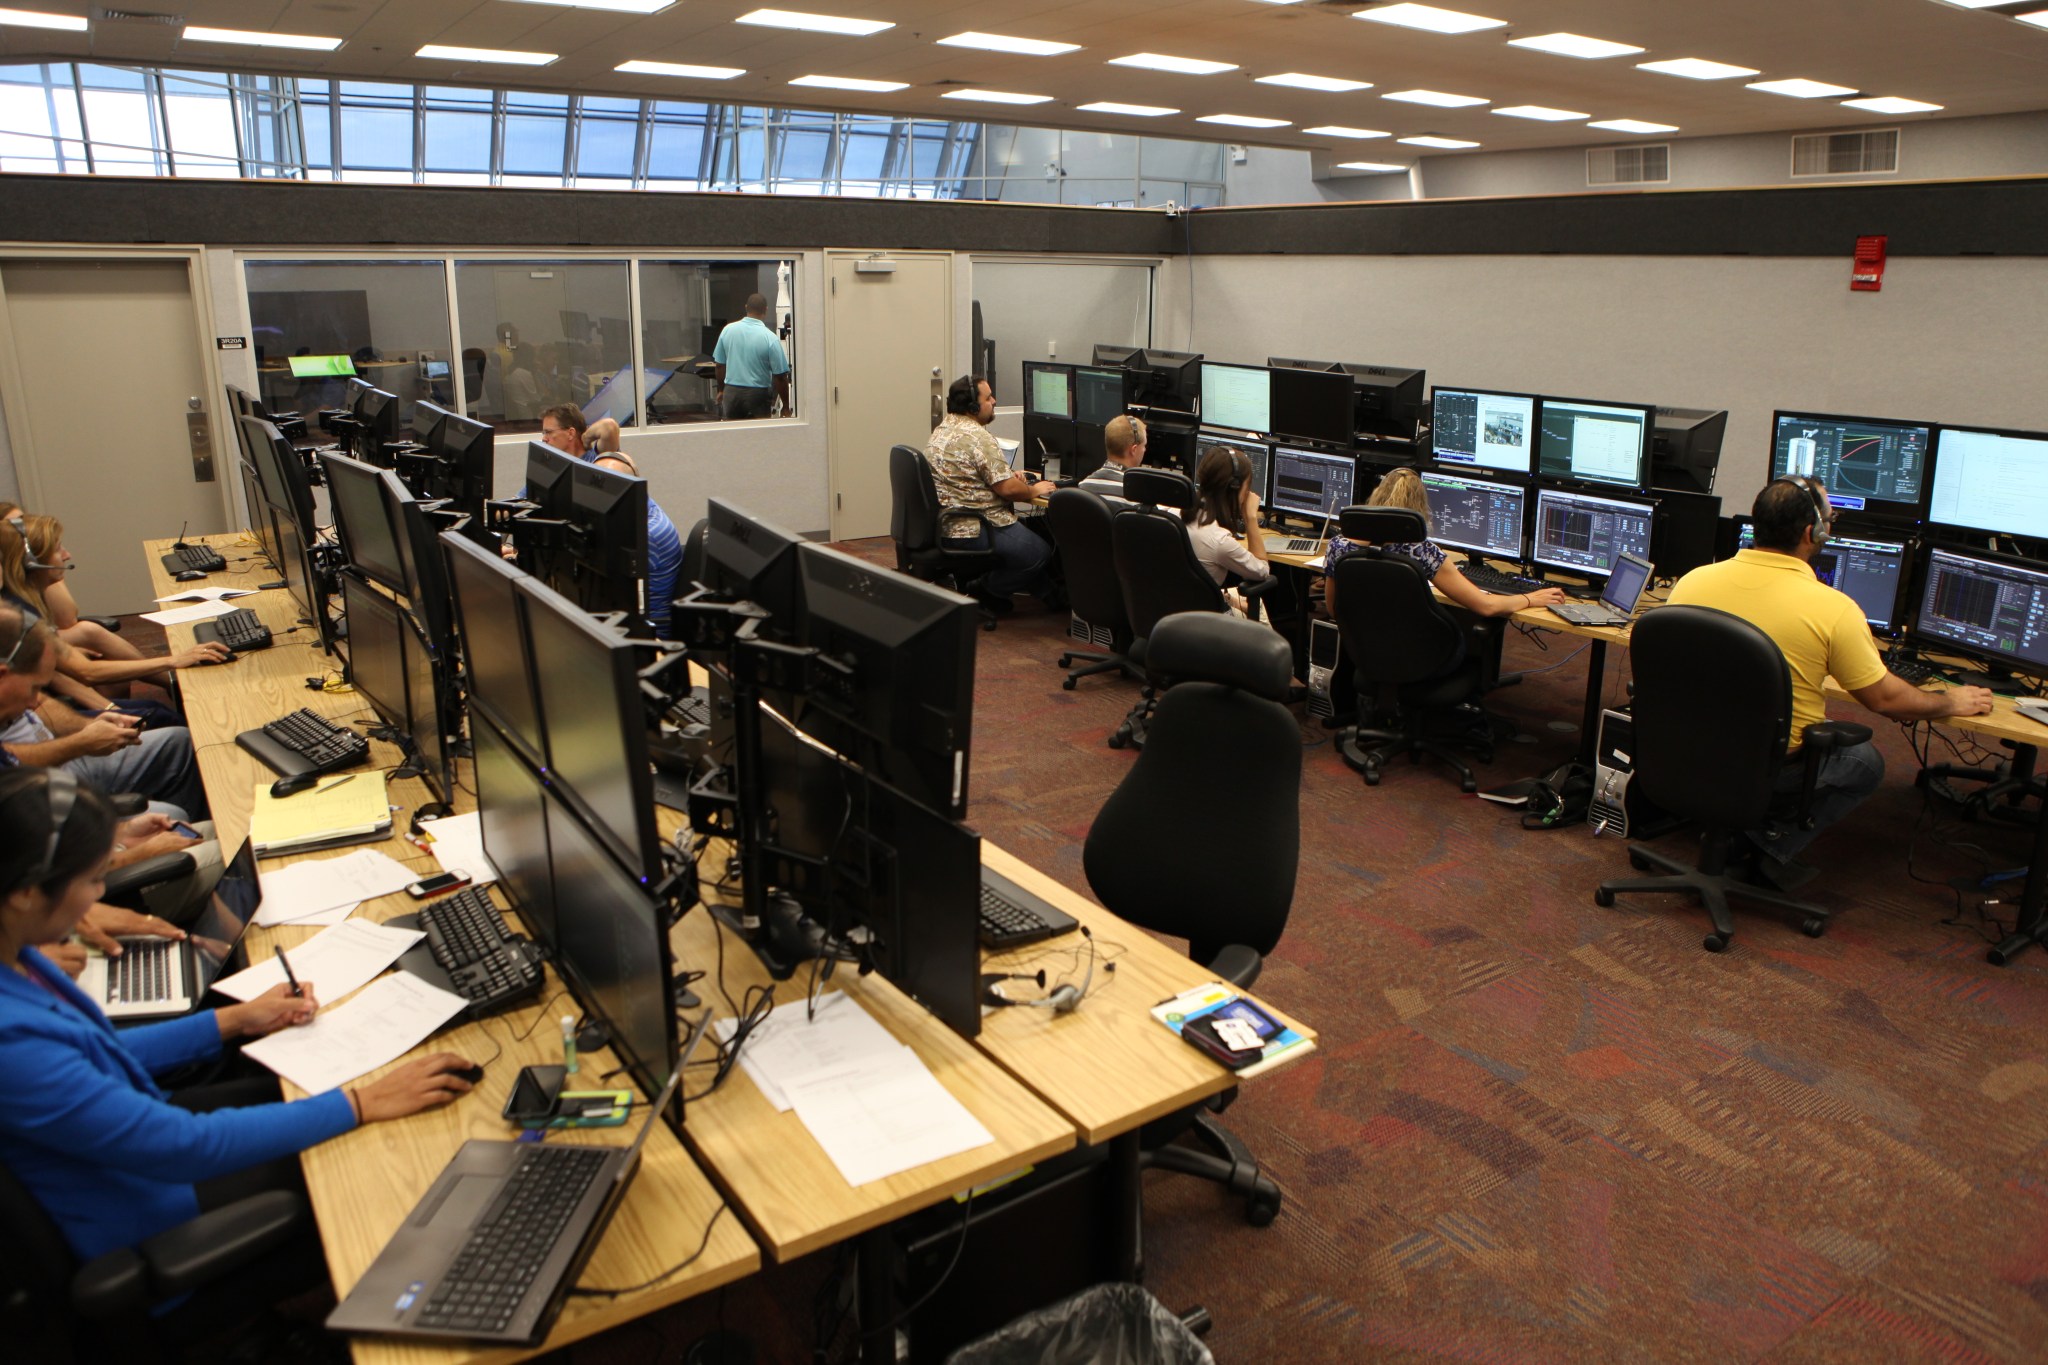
(56,1311)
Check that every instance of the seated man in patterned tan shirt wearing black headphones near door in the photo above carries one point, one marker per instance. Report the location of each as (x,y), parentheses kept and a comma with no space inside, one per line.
(972,476)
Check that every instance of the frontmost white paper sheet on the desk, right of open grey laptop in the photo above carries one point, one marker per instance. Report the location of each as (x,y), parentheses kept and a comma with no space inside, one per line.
(886,1118)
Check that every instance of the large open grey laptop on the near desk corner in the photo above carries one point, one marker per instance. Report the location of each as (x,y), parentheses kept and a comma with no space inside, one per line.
(495,1247)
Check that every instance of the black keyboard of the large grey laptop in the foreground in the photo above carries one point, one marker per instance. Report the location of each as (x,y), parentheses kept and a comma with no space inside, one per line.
(497,1268)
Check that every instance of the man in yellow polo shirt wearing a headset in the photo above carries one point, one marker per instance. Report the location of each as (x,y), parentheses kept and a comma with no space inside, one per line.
(1822,633)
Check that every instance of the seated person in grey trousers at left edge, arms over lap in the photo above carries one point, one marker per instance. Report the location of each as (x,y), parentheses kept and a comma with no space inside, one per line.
(108,750)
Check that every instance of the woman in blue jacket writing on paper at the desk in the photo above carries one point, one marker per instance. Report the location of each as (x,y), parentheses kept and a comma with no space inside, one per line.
(110,1155)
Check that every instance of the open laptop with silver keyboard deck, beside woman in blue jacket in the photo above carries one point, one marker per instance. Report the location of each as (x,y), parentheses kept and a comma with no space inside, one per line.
(163,979)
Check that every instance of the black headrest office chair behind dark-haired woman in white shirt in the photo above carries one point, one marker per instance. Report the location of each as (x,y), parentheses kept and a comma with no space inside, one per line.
(1158,574)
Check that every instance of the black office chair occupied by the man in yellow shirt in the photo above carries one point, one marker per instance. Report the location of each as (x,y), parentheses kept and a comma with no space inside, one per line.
(1713,713)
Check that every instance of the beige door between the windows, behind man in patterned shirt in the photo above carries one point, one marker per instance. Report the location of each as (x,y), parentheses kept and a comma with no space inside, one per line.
(888,345)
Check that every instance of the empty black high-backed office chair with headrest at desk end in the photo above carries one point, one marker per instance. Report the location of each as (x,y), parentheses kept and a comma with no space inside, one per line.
(1224,754)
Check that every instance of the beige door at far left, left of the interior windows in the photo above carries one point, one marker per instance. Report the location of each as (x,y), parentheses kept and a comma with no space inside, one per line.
(105,384)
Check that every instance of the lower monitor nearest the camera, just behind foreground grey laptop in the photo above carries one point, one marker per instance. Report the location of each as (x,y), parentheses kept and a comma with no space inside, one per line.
(611,946)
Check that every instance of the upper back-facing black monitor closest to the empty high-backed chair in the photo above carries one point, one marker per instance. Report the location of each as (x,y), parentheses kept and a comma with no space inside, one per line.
(896,689)
